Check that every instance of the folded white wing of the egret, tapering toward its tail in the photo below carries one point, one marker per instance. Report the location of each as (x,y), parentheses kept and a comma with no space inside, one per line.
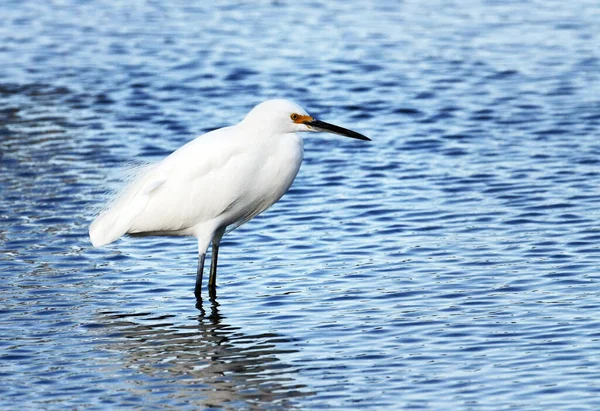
(185,188)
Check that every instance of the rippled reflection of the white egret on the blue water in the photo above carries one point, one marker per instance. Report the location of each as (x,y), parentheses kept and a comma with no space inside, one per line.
(207,361)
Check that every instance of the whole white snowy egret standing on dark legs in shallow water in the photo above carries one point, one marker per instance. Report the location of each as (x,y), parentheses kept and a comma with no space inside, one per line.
(216,182)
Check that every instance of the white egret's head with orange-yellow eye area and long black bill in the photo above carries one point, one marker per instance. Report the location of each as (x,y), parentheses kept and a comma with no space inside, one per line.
(283,116)
